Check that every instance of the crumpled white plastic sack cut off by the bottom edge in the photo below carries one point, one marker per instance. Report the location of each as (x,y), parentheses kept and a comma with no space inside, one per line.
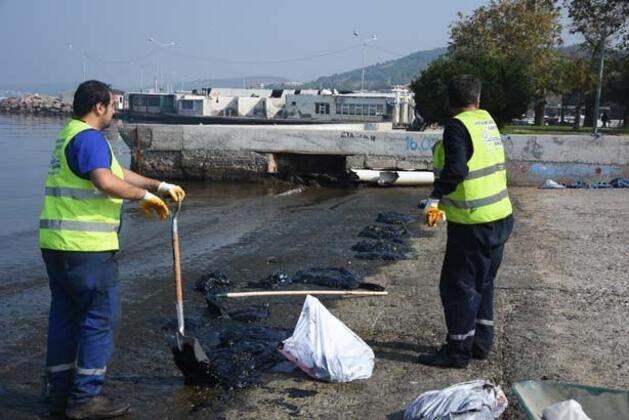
(474,400)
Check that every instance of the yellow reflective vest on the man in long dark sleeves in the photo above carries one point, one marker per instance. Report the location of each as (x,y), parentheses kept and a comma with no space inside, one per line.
(482,197)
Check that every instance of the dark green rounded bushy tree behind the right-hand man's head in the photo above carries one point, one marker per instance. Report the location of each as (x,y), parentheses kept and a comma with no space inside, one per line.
(505,93)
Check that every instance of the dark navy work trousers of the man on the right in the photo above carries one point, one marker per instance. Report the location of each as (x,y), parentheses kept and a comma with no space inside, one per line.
(473,256)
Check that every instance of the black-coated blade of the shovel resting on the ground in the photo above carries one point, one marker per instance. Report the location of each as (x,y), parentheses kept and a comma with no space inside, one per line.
(191,360)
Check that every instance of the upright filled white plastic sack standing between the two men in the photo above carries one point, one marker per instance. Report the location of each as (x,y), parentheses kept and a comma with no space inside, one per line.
(324,348)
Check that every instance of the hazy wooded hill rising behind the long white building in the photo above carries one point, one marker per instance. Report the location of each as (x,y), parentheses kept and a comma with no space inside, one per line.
(381,75)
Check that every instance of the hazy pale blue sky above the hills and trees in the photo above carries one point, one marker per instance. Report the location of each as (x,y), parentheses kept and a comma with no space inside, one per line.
(47,41)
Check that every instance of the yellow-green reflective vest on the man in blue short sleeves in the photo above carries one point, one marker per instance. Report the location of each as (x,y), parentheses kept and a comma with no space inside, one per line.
(76,216)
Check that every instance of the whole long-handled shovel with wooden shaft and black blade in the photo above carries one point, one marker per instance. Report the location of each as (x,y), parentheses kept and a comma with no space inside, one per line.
(187,351)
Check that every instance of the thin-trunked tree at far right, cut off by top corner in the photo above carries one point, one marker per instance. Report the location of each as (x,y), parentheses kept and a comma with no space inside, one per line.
(601,23)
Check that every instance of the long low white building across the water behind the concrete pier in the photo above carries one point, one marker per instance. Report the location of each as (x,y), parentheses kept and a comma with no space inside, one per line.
(396,106)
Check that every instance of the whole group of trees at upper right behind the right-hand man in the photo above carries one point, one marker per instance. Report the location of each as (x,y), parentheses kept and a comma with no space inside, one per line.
(513,47)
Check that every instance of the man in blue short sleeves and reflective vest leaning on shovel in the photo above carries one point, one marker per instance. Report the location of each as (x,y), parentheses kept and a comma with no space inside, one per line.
(78,236)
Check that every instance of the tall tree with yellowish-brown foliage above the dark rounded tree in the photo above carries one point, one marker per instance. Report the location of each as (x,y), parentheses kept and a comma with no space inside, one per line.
(524,29)
